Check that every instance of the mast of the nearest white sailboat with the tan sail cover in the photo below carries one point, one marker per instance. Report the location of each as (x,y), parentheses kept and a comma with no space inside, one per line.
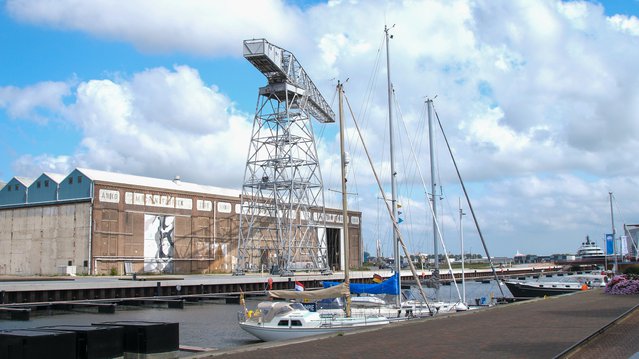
(345,218)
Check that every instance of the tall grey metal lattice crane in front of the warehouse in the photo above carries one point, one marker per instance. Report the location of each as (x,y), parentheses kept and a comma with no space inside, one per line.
(282,221)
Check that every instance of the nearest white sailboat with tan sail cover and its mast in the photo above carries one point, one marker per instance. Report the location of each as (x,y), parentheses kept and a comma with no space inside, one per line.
(289,320)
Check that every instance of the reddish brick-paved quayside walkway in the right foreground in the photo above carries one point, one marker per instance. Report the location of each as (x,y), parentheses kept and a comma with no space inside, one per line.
(583,324)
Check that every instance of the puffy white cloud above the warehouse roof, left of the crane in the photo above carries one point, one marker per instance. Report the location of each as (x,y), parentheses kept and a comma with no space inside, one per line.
(158,123)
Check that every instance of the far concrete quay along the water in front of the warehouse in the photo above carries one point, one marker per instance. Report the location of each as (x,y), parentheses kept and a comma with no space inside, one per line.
(15,290)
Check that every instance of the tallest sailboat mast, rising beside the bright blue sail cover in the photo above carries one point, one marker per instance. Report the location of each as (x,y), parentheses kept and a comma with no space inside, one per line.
(398,265)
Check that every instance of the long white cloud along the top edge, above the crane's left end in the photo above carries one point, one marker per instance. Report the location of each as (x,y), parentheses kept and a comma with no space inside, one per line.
(195,26)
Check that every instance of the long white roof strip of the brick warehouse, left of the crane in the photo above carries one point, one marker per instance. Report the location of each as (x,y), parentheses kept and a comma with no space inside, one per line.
(121,178)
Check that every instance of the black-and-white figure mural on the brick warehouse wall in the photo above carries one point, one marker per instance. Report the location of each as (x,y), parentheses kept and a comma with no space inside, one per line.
(158,243)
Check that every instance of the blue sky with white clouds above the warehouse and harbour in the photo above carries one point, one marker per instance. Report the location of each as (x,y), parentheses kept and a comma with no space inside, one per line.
(538,100)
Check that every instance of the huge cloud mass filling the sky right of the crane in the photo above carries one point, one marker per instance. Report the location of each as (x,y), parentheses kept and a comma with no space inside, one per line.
(531,92)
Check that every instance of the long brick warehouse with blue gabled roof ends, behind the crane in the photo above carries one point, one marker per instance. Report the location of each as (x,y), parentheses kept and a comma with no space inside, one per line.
(96,222)
